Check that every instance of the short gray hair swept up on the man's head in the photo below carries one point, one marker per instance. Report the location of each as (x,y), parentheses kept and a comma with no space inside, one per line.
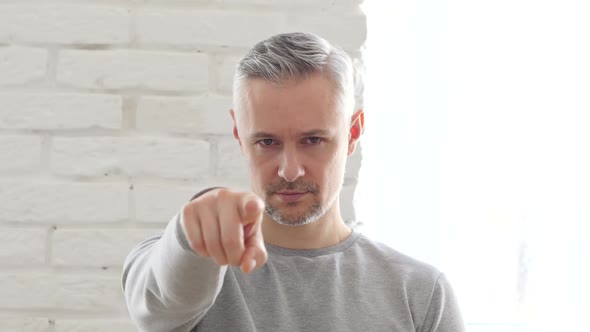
(296,56)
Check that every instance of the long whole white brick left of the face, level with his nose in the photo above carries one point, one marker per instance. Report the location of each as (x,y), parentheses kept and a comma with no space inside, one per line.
(132,156)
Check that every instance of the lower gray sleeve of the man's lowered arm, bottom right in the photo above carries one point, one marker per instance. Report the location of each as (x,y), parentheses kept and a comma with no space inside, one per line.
(443,313)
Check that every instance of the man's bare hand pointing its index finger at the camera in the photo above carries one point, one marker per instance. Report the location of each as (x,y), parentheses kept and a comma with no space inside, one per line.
(226,225)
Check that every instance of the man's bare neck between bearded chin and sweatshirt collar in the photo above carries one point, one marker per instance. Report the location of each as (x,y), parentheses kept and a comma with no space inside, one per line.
(327,231)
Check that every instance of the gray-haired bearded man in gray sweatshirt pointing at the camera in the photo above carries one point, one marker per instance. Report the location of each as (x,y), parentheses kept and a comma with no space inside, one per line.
(280,258)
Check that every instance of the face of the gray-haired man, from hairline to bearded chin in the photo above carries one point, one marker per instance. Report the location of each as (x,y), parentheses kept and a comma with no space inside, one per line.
(296,141)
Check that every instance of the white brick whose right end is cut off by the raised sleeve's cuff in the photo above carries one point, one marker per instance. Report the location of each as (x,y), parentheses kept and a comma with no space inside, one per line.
(96,247)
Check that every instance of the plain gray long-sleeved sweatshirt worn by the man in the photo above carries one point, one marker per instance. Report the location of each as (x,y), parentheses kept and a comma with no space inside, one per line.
(356,285)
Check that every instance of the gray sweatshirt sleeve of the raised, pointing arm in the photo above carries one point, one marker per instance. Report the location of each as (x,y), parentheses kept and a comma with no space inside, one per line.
(167,286)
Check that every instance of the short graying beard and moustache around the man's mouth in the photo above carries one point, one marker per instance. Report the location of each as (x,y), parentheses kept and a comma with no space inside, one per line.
(309,215)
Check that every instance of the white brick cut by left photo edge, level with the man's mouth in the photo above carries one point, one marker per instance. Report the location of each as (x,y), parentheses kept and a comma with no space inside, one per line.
(63,202)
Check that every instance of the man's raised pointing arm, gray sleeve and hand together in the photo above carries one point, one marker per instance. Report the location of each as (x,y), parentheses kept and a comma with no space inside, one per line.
(171,281)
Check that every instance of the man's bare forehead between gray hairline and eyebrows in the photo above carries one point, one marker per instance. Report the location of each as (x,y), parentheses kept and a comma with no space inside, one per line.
(293,106)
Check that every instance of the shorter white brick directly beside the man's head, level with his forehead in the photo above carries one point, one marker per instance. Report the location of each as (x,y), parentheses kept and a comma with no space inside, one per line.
(203,115)
